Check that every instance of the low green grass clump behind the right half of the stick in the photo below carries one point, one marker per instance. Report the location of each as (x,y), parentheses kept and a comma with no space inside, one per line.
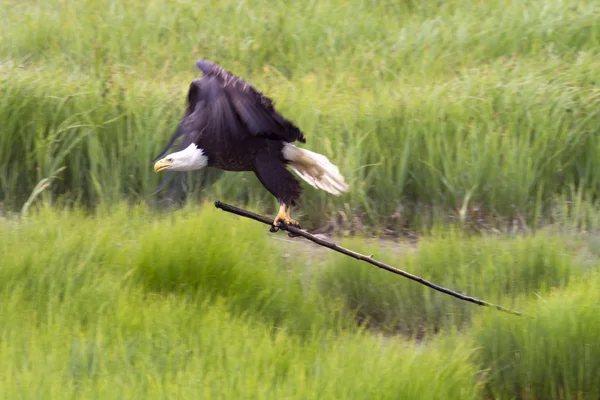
(500,270)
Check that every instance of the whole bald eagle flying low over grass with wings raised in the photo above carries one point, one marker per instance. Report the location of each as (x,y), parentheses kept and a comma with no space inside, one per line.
(230,125)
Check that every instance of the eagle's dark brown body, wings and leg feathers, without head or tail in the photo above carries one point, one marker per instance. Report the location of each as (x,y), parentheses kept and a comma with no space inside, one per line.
(239,130)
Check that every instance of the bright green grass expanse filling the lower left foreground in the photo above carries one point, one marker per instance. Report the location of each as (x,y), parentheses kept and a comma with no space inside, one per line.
(123,305)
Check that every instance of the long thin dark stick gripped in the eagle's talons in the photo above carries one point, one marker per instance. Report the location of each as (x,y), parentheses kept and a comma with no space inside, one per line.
(358,256)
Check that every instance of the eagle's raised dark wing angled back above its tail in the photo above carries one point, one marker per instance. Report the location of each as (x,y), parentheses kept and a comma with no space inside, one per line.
(255,110)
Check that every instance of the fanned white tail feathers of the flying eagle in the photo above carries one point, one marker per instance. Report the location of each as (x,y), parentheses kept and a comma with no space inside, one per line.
(315,169)
